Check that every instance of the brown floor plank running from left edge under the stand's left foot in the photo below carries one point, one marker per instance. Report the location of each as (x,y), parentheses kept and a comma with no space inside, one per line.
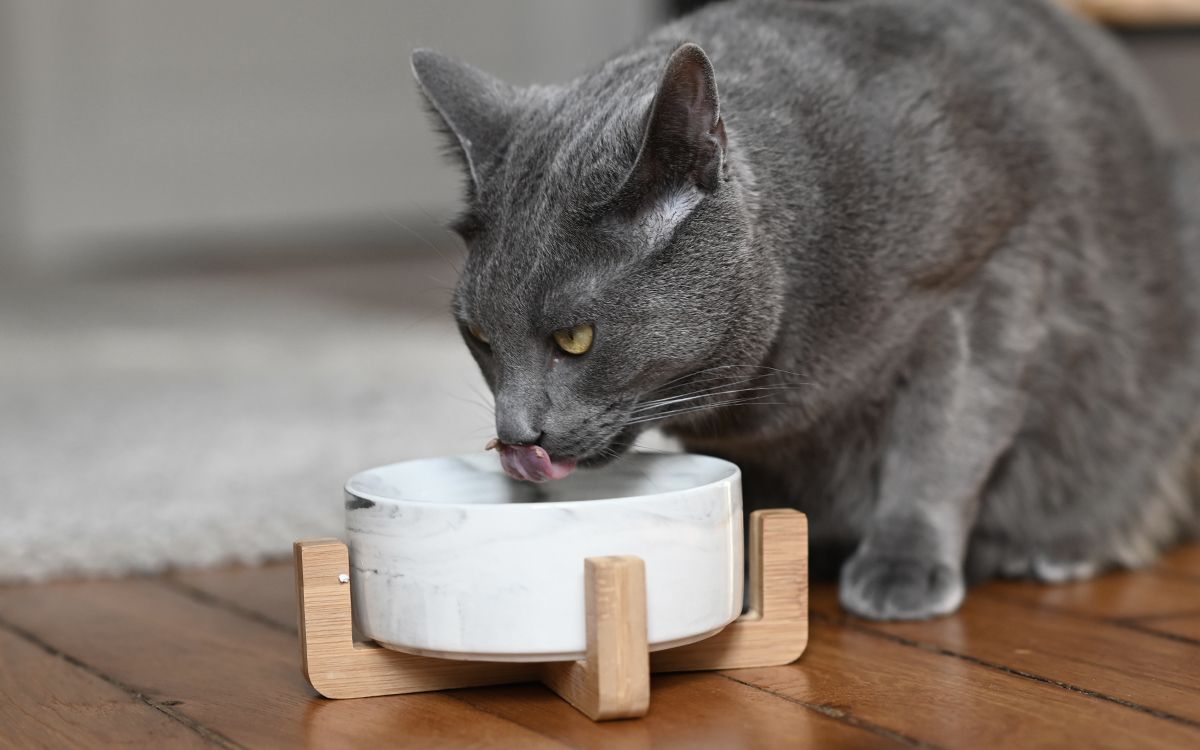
(236,676)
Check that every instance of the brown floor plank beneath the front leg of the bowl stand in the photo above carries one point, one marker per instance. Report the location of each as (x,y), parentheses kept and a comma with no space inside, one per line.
(687,711)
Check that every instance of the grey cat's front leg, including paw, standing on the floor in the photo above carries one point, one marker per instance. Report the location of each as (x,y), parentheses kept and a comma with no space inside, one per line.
(956,412)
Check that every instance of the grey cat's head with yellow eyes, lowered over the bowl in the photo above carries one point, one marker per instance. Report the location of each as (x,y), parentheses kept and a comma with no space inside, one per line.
(611,255)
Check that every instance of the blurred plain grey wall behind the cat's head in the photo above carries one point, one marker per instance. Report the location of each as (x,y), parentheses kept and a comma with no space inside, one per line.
(128,122)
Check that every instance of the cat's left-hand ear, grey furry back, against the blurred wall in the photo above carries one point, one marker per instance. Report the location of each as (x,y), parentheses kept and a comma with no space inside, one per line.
(475,109)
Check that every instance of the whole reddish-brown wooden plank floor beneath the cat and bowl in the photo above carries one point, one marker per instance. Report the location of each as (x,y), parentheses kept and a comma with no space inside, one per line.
(212,661)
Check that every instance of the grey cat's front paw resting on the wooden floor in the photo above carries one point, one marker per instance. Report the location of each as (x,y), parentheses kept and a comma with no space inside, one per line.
(884,587)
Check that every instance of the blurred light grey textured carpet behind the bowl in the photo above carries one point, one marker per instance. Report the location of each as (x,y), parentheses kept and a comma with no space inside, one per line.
(197,419)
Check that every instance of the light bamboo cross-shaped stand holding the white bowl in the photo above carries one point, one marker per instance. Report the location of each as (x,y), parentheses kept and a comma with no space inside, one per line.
(614,681)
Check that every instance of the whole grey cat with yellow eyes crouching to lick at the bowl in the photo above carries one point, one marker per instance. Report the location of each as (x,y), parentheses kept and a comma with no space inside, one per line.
(926,269)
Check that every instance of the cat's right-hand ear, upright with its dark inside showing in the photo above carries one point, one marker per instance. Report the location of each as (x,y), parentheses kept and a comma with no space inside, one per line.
(685,140)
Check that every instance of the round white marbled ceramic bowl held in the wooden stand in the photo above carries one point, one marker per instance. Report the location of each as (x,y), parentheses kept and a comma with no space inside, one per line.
(452,559)
